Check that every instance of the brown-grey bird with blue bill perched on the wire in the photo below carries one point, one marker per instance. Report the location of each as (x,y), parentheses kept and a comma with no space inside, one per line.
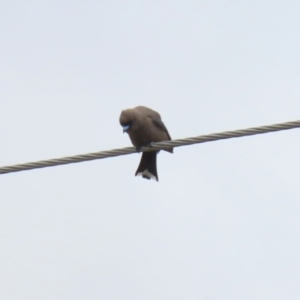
(145,126)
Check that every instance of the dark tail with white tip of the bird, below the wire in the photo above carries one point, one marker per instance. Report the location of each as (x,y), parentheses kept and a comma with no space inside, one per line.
(147,166)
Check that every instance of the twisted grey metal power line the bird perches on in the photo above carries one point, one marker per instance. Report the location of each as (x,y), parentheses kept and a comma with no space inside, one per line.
(154,146)
